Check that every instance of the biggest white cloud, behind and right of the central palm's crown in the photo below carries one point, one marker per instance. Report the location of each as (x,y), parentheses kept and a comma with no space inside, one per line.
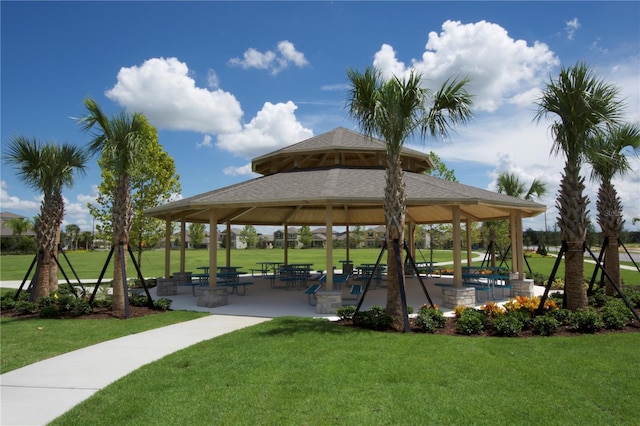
(502,70)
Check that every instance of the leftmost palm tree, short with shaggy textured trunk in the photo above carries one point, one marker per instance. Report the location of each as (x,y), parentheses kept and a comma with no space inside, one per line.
(47,167)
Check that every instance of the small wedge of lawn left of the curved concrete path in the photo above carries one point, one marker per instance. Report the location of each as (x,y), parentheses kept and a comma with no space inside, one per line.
(25,341)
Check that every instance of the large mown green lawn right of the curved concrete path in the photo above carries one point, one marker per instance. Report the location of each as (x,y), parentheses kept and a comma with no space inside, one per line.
(293,371)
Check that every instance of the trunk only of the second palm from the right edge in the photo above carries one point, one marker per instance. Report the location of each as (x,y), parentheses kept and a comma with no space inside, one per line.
(572,205)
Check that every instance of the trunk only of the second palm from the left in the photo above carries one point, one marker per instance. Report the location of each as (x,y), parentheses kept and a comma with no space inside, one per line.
(121,227)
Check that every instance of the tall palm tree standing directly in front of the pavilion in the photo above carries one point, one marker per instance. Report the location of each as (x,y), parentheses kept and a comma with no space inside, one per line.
(394,110)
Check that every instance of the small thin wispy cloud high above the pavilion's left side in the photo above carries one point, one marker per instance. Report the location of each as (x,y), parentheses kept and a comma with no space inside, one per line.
(274,62)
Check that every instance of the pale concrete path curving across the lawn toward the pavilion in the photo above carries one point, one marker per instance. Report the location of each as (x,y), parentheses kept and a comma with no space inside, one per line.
(38,393)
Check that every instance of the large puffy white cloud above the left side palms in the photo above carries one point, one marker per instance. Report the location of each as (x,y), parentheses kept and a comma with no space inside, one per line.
(163,90)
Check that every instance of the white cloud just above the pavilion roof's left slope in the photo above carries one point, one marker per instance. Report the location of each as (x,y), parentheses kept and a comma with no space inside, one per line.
(274,126)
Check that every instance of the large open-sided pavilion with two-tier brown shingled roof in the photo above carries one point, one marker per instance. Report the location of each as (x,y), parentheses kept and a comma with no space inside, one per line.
(338,179)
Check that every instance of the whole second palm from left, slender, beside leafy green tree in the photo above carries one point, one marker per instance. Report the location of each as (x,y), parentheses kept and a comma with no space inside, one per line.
(117,139)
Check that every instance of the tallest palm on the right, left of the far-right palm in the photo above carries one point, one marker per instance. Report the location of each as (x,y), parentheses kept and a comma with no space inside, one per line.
(584,106)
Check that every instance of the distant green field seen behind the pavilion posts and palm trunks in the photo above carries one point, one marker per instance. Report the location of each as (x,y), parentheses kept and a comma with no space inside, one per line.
(88,265)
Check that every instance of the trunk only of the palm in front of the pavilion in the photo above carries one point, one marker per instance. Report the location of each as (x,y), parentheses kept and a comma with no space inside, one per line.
(395,213)
